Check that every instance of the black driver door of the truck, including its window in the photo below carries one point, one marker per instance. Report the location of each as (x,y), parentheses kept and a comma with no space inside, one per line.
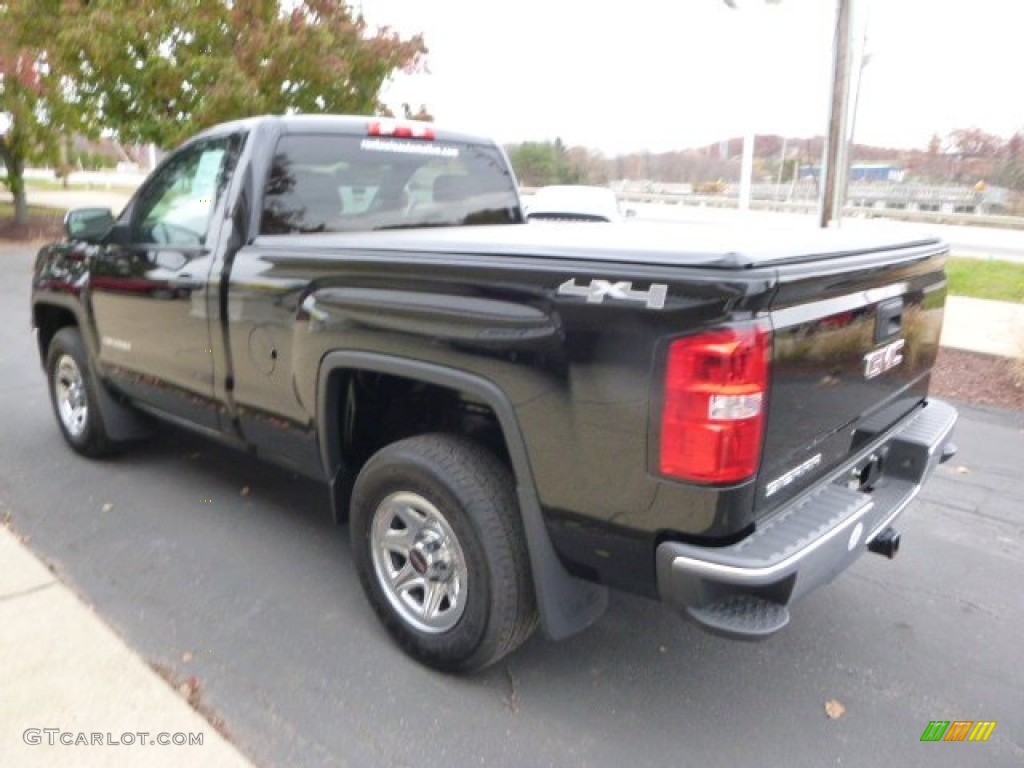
(151,284)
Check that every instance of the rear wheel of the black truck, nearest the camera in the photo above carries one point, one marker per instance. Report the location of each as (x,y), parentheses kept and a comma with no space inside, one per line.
(475,557)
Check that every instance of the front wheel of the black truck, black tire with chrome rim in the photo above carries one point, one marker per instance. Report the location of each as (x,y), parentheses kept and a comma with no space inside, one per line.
(73,395)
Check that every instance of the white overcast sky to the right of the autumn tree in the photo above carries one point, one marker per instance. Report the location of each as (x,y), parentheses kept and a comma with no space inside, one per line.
(662,75)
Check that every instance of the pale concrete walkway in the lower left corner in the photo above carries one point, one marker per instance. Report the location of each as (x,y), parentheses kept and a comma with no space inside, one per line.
(65,670)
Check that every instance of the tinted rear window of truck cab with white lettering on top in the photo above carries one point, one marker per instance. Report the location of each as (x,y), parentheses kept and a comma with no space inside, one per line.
(337,184)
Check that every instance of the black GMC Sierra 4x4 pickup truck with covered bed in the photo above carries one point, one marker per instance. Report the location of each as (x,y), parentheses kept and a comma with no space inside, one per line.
(513,417)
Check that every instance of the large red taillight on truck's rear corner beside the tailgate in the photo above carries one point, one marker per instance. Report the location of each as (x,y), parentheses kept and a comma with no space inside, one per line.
(716,387)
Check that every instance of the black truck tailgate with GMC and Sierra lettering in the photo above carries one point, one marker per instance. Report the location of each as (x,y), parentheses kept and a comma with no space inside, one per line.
(856,337)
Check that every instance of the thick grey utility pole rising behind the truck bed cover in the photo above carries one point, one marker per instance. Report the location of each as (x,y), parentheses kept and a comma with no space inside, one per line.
(834,165)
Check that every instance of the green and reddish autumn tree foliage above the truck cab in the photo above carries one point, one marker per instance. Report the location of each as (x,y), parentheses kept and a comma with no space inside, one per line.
(159,71)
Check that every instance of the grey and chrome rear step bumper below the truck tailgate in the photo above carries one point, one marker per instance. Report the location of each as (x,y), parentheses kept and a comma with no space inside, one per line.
(744,590)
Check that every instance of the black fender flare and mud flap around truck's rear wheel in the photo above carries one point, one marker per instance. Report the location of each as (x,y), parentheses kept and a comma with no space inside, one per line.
(567,605)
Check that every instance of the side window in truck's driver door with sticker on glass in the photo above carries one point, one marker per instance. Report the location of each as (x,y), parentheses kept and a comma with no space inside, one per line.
(177,206)
